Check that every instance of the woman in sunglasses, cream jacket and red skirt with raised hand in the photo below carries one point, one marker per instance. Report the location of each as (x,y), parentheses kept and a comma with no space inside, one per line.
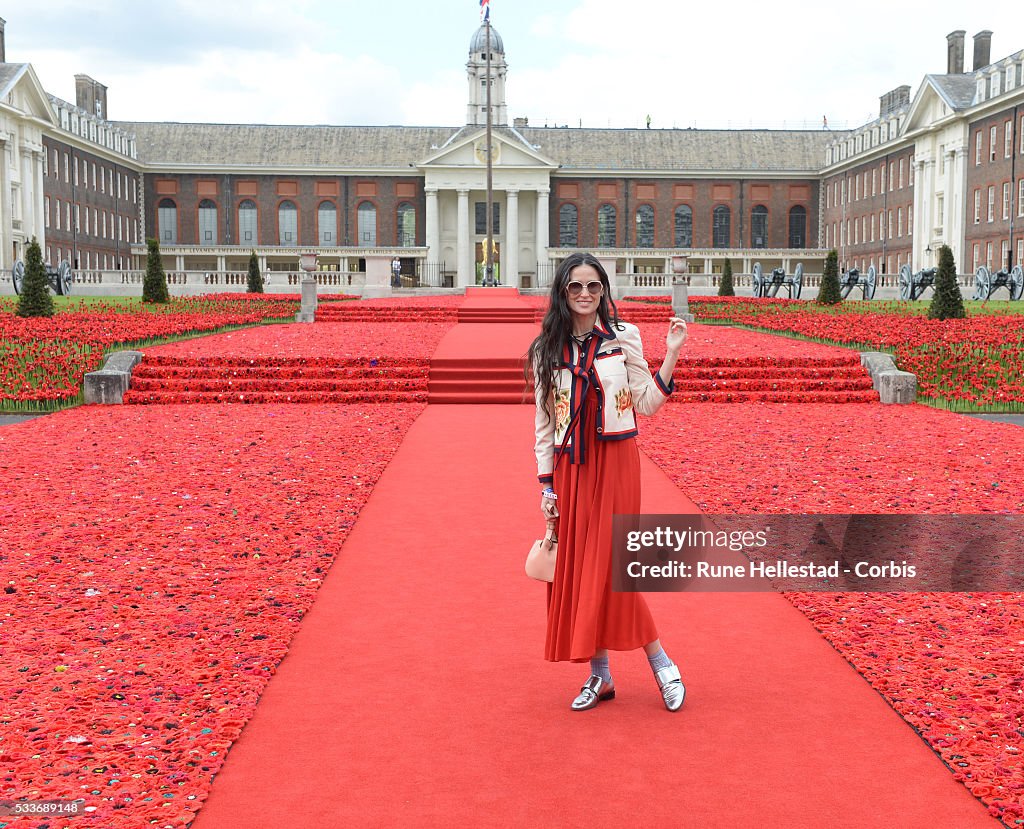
(590,375)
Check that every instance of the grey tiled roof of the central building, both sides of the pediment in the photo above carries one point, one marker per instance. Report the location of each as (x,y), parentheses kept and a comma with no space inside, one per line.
(225,146)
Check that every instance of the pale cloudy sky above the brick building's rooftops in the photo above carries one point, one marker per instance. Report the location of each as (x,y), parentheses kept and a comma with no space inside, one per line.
(773,64)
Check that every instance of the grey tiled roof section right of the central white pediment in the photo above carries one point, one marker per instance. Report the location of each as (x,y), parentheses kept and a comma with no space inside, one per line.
(643,150)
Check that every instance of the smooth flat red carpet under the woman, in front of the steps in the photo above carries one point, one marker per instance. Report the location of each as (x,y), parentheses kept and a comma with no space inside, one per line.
(415,693)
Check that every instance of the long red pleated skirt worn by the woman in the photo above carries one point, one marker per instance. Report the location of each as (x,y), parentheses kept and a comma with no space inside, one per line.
(584,615)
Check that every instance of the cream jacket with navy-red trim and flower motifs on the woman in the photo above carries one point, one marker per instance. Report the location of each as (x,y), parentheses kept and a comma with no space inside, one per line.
(613,362)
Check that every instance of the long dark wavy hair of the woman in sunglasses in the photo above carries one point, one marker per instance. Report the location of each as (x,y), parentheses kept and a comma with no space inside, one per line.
(557,329)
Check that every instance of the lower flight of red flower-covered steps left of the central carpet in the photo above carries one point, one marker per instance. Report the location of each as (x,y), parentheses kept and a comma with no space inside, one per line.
(268,380)
